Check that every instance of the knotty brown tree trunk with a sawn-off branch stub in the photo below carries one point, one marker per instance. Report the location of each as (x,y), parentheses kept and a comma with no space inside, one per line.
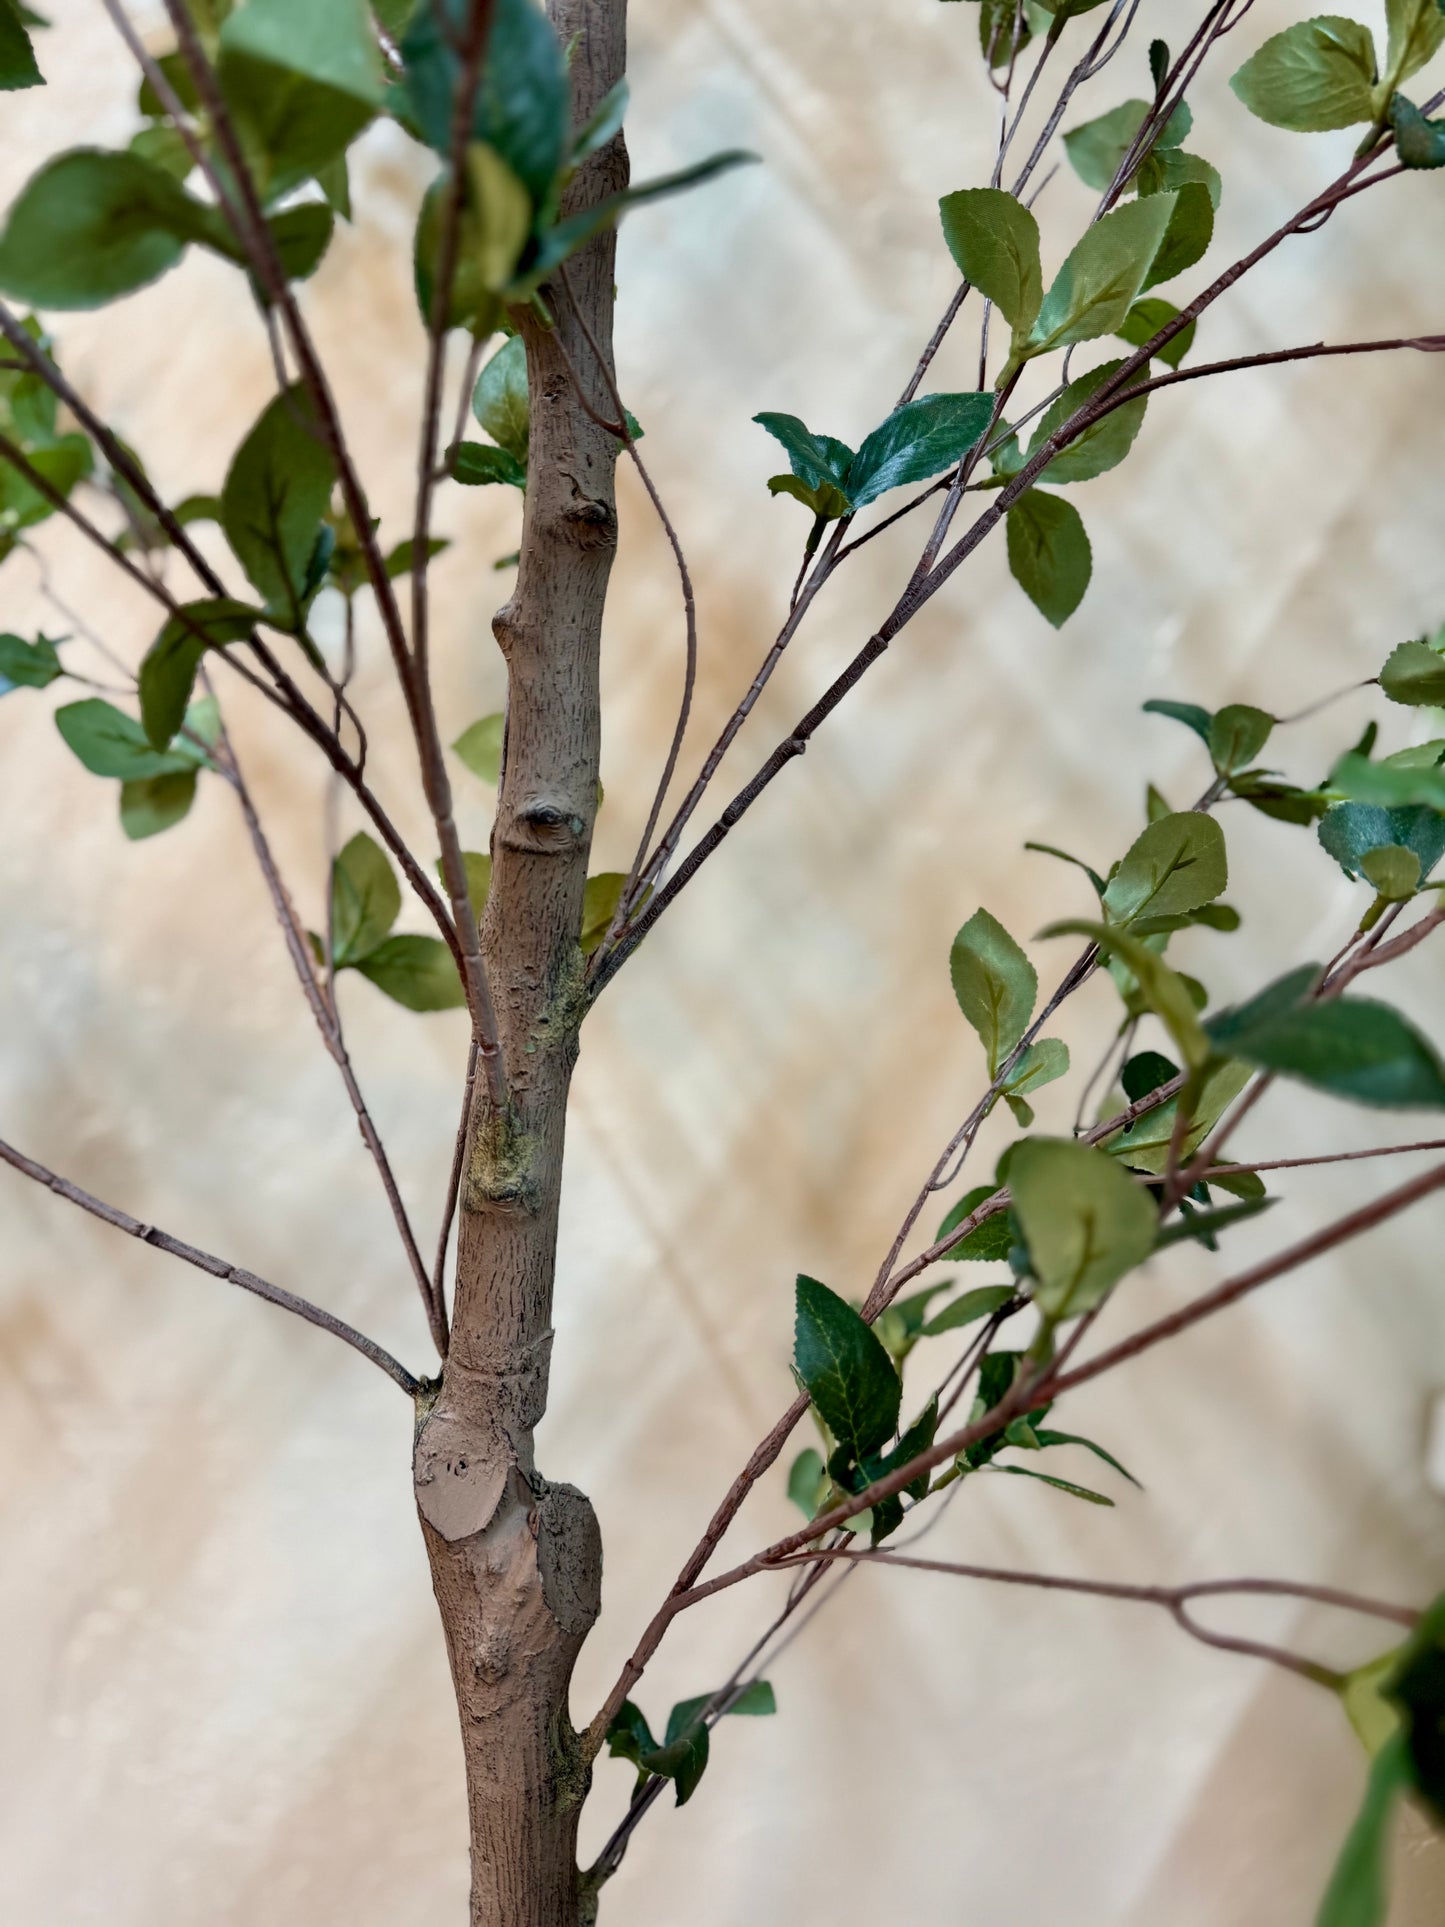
(515,1560)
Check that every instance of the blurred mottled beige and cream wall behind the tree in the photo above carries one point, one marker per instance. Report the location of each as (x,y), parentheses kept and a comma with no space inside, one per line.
(223,1685)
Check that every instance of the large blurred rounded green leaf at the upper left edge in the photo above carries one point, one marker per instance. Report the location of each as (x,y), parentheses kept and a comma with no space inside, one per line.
(93,226)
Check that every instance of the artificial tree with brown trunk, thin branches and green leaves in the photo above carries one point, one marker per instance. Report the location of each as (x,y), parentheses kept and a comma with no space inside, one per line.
(918,1383)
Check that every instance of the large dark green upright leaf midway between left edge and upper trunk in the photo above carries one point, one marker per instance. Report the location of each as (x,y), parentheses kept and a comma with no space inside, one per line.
(275,500)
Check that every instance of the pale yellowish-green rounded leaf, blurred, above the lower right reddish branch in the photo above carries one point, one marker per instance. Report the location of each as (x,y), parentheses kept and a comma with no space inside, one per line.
(1086,1223)
